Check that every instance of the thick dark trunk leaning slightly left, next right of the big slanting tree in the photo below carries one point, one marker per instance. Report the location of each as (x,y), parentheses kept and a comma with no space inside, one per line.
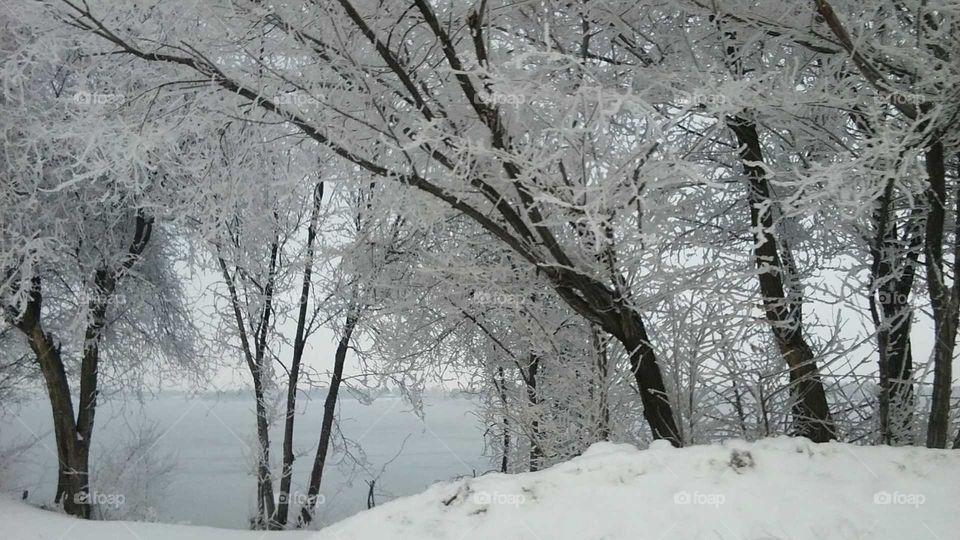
(811,412)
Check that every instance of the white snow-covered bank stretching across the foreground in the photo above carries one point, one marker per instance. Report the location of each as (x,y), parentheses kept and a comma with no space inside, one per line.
(779,488)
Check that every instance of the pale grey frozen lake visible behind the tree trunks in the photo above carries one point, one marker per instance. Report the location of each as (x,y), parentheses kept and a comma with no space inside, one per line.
(211,436)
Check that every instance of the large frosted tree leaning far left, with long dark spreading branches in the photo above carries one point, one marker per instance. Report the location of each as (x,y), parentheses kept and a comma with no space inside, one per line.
(477,159)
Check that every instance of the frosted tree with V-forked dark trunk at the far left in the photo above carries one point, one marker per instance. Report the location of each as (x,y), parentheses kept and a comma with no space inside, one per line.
(90,198)
